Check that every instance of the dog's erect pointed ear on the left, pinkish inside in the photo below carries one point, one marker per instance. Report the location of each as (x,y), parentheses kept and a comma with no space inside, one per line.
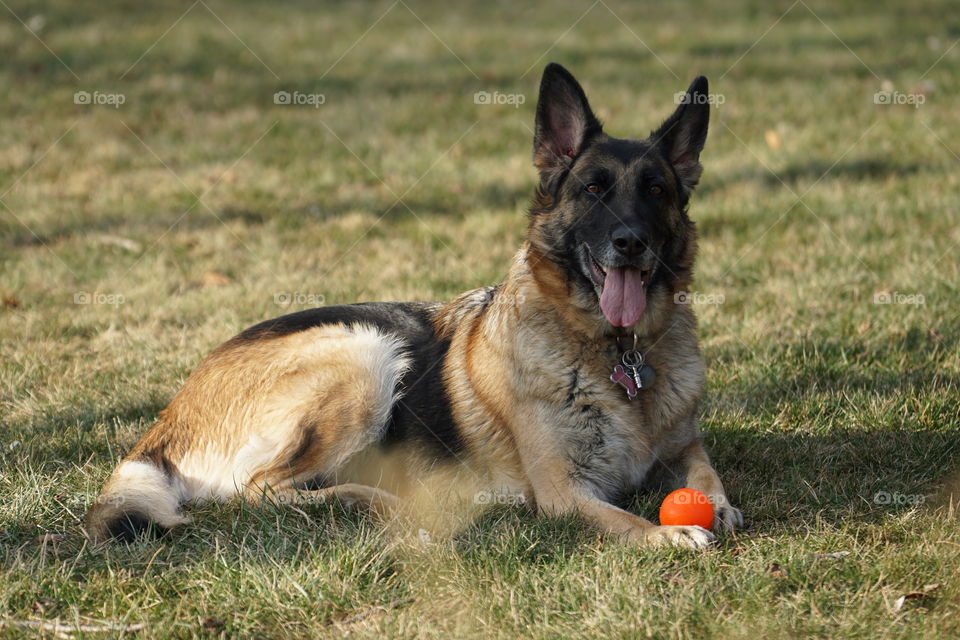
(564,121)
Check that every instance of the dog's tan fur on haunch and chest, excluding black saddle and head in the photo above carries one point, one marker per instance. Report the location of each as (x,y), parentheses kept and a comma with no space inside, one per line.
(238,426)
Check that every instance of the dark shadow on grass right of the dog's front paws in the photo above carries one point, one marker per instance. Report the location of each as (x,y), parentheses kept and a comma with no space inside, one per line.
(780,479)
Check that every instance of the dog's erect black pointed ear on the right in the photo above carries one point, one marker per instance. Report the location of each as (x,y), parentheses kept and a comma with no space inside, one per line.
(682,136)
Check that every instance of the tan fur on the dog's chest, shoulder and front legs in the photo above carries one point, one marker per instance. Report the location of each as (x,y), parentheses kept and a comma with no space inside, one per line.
(508,405)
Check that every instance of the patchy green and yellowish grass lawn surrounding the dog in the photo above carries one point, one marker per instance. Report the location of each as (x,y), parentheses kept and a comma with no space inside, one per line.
(199,207)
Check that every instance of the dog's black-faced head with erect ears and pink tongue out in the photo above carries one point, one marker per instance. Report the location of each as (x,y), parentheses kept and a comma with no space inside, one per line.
(611,212)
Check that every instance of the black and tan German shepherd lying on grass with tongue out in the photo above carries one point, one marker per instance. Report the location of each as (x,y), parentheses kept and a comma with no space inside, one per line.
(568,384)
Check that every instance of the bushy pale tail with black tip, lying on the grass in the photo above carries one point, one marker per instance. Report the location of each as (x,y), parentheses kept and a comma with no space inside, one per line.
(139,498)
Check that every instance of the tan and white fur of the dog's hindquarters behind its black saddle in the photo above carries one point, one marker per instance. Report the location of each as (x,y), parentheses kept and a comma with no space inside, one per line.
(259,417)
